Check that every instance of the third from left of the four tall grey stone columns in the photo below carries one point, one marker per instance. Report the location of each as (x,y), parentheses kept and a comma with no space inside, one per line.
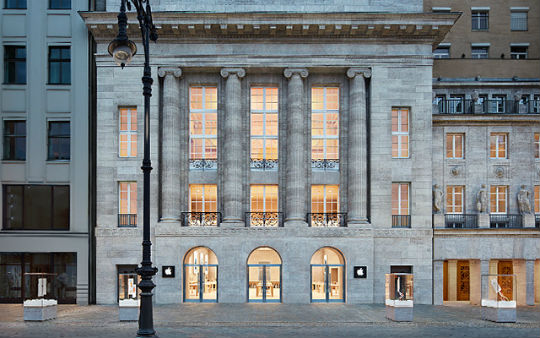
(296,171)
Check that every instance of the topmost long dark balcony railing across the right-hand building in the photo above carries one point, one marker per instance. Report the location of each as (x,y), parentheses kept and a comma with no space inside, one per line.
(496,106)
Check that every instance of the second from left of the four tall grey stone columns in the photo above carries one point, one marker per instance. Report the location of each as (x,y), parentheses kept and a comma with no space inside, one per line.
(232,146)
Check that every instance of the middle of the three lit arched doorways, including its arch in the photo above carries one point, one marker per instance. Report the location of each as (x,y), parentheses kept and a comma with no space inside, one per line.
(264,276)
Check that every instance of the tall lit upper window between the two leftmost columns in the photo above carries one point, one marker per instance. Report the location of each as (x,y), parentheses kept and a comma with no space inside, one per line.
(203,123)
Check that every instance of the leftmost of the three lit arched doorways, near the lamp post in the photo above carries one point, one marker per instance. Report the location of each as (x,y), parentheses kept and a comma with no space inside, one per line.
(200,275)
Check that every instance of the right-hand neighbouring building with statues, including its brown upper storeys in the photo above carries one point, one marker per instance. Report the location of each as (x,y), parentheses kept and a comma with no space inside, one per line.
(486,162)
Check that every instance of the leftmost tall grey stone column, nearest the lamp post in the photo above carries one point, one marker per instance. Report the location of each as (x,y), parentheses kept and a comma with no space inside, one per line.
(171,159)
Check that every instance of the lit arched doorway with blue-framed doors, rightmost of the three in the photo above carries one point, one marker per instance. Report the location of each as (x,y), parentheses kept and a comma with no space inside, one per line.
(327,276)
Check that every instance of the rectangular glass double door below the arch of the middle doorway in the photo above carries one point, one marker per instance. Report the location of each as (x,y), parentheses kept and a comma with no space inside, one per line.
(264,283)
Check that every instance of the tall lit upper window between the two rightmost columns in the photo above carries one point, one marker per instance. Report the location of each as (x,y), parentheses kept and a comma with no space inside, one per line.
(325,123)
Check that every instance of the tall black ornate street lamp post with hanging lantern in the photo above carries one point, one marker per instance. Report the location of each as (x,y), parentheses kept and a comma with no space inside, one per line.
(122,50)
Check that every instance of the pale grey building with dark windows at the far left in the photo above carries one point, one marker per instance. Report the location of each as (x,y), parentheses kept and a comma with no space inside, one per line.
(44,171)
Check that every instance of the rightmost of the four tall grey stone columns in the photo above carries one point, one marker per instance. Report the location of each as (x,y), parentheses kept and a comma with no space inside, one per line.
(357,147)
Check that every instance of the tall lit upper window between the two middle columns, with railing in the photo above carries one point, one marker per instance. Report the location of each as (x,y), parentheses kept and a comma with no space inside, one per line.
(264,128)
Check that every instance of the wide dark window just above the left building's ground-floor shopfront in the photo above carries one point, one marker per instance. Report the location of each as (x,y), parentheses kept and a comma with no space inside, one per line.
(36,207)
